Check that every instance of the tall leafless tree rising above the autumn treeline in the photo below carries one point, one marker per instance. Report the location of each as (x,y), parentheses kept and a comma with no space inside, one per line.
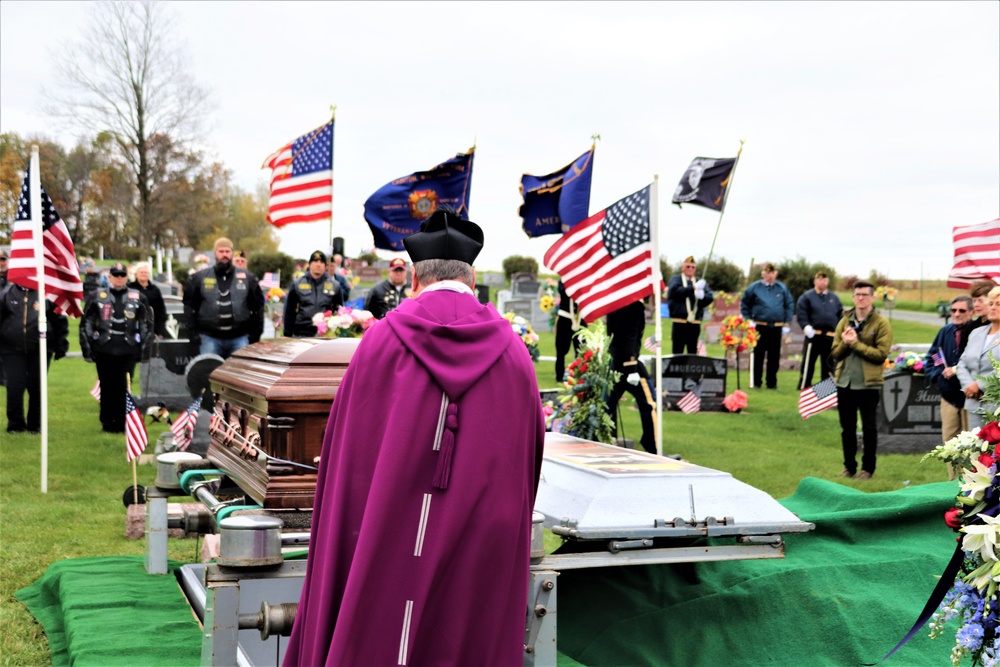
(128,77)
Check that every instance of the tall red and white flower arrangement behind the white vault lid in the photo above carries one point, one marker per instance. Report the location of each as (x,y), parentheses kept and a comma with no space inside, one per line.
(582,410)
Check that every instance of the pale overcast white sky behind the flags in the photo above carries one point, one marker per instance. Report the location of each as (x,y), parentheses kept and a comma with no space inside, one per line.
(871,128)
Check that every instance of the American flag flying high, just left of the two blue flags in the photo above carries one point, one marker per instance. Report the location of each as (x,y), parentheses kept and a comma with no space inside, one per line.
(302,179)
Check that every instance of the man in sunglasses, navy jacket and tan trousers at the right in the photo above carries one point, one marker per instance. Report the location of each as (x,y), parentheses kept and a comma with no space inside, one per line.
(940,365)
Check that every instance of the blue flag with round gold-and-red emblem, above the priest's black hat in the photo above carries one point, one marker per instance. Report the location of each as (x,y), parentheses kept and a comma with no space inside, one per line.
(397,208)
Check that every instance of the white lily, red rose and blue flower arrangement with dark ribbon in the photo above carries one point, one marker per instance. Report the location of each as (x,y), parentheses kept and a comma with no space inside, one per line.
(974,599)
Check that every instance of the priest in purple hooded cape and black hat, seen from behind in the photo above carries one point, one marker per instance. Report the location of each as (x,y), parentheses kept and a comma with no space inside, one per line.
(421,528)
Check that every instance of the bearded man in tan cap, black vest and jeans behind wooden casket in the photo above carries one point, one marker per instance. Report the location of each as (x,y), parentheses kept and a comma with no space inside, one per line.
(223,305)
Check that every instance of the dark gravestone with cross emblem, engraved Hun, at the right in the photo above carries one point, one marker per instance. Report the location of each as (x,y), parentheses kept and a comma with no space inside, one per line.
(909,415)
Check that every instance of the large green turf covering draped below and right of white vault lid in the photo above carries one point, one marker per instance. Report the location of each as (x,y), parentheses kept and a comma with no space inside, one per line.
(844,594)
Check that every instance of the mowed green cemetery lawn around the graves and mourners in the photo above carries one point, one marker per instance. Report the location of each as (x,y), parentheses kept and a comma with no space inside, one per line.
(768,446)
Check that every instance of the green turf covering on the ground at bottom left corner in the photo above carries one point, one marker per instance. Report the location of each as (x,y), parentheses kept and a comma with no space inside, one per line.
(108,611)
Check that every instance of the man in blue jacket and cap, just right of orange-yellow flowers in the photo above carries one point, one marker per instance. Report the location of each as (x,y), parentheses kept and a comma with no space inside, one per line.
(768,304)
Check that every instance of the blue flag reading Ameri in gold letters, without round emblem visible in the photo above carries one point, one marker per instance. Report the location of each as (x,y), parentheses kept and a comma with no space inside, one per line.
(554,203)
